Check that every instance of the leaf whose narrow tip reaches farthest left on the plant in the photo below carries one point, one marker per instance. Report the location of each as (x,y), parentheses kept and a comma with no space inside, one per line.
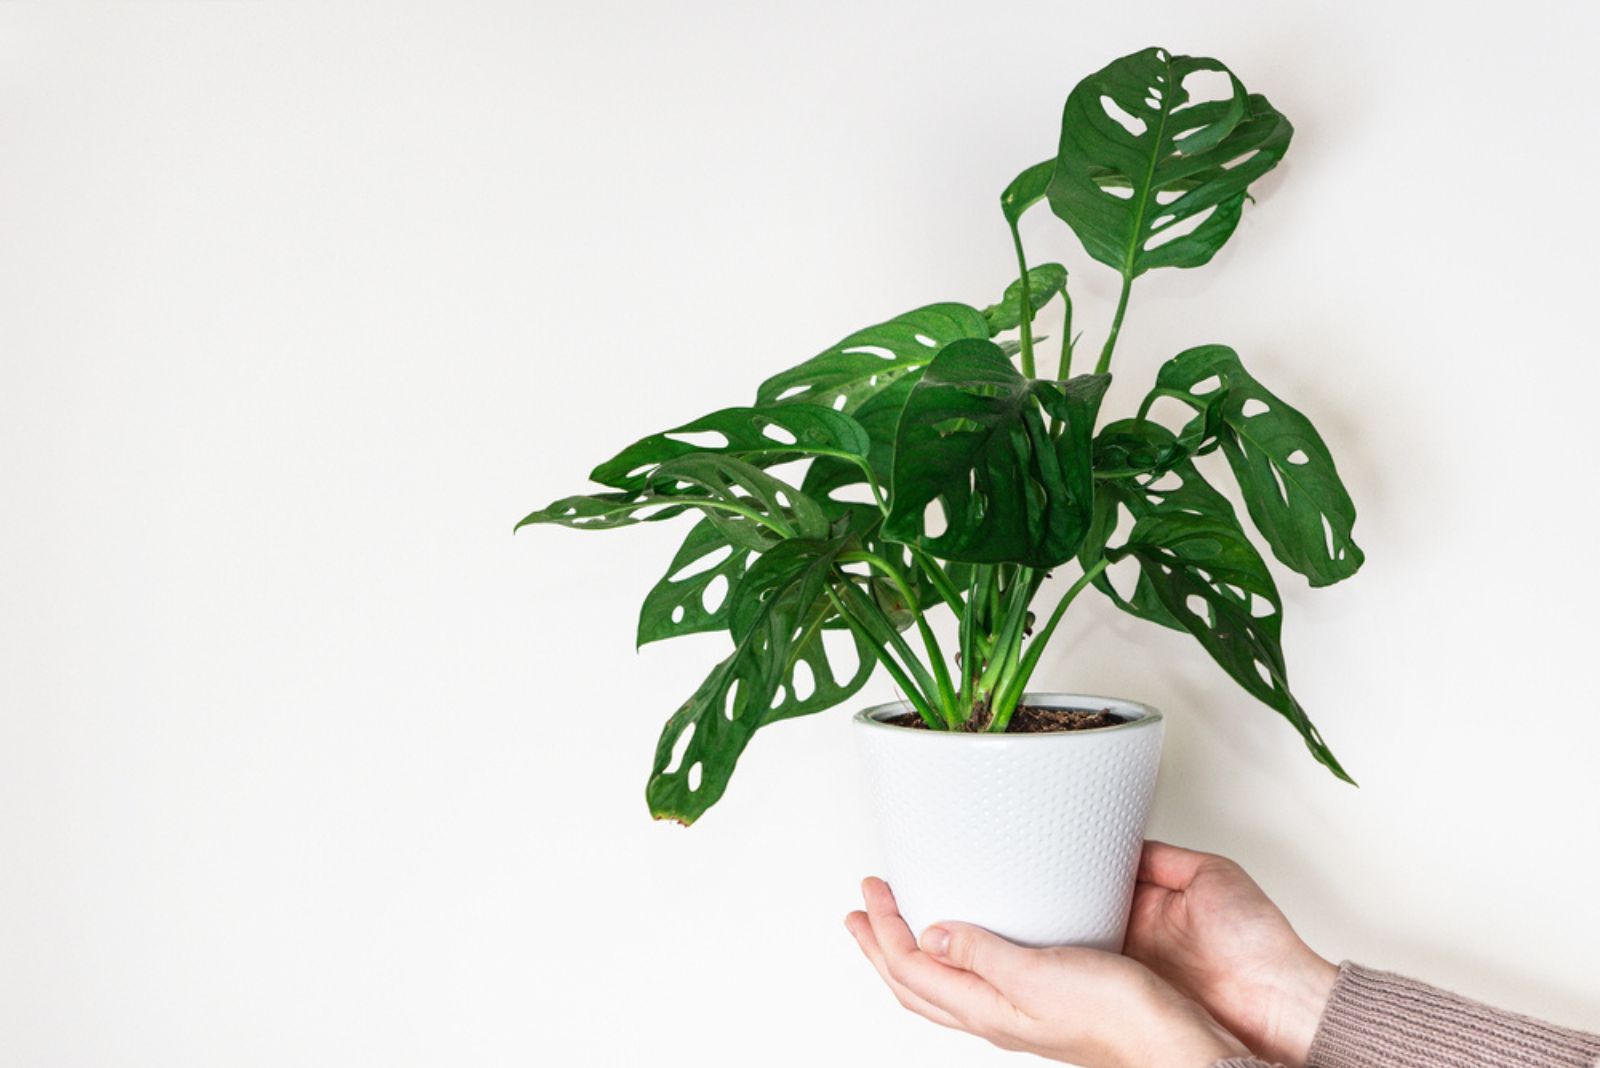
(751,508)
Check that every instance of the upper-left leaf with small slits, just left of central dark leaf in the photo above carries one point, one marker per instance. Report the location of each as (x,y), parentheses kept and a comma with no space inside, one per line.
(870,362)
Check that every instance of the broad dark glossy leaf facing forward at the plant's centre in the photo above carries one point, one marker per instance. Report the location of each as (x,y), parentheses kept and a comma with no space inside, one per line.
(974,439)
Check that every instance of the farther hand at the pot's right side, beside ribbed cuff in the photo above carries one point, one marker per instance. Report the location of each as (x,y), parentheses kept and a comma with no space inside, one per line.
(1204,927)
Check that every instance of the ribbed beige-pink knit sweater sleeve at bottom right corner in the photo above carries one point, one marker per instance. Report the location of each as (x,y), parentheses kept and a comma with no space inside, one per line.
(1385,1021)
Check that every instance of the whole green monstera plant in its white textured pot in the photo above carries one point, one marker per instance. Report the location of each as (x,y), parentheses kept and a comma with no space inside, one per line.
(927,464)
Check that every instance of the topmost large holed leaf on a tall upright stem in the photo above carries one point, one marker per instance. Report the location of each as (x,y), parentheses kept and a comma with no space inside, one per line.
(1151,178)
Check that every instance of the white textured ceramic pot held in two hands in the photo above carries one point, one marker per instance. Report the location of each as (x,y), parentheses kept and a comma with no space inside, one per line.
(1034,837)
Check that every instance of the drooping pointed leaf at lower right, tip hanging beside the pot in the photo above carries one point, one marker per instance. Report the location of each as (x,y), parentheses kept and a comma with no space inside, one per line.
(1210,578)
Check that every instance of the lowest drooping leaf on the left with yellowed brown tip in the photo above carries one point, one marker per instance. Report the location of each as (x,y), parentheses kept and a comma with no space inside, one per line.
(774,620)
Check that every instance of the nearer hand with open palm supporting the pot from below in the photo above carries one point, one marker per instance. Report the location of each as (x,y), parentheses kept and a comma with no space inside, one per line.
(1081,1006)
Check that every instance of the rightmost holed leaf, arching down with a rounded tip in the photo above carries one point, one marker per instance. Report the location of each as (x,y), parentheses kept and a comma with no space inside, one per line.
(1284,468)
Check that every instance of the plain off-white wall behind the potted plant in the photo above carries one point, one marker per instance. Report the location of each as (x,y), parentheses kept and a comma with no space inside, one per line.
(305,760)
